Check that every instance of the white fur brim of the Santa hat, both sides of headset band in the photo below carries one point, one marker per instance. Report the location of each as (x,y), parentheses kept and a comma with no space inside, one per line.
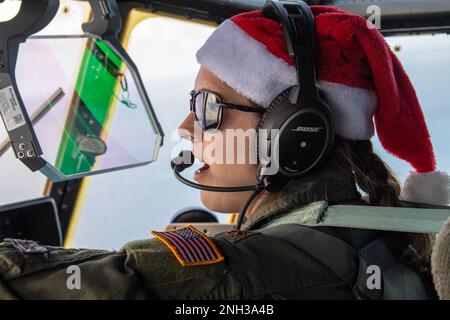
(248,67)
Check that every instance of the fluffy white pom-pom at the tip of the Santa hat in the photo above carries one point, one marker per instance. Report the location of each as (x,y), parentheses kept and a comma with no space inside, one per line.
(430,187)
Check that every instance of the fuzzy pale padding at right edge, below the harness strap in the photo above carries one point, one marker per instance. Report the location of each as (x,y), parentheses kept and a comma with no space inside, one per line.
(440,263)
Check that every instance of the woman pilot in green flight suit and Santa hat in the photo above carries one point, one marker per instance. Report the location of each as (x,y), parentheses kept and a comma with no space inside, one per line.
(245,65)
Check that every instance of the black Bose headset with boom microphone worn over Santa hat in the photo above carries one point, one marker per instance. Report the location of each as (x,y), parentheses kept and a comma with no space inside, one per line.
(298,123)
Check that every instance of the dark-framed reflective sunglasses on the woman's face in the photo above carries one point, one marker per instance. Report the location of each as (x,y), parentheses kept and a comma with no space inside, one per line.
(208,109)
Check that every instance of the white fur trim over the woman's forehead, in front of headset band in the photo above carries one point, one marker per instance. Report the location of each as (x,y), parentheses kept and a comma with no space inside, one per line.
(245,64)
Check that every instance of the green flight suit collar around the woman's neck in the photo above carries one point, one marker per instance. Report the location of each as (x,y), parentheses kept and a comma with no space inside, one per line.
(330,183)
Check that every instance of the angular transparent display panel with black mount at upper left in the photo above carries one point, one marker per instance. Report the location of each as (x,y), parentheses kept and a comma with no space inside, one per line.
(73,102)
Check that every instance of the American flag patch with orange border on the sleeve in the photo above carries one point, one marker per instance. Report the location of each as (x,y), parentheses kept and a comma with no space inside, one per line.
(190,246)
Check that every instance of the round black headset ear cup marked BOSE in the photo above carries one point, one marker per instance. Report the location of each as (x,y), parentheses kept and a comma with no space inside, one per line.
(303,142)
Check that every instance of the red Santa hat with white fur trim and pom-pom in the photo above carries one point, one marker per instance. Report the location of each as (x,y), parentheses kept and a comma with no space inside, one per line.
(360,77)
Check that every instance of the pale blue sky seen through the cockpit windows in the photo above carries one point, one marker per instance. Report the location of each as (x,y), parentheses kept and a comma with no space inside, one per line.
(126,205)
